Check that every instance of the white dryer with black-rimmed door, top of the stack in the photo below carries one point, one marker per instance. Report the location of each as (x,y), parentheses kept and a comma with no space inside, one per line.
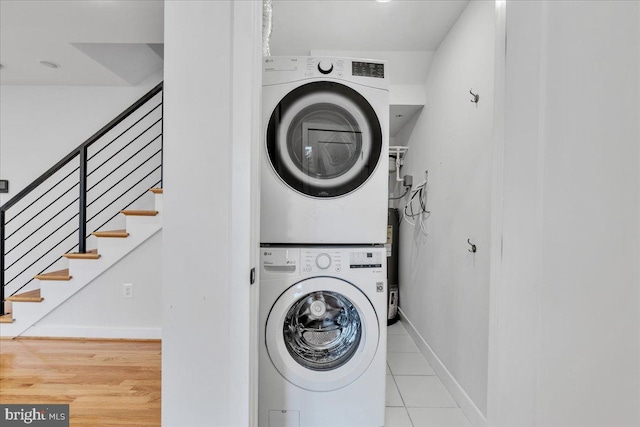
(324,169)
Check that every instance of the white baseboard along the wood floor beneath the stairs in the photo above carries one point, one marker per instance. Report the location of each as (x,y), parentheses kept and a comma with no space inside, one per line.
(55,331)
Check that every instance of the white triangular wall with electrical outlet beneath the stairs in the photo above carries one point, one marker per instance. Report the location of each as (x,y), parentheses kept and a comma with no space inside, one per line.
(99,309)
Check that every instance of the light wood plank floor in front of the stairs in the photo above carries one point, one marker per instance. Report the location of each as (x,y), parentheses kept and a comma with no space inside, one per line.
(106,383)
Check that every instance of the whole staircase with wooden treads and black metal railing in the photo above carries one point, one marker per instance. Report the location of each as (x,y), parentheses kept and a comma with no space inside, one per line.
(82,216)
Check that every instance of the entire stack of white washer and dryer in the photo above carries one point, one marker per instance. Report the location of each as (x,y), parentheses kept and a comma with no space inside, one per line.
(323,286)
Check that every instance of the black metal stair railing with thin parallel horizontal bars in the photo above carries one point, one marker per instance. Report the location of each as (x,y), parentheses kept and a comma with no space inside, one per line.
(85,190)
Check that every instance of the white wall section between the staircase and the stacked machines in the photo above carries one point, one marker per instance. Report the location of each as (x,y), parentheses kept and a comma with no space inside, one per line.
(212,55)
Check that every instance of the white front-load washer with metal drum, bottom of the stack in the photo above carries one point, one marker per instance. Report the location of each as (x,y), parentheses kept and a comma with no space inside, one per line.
(323,337)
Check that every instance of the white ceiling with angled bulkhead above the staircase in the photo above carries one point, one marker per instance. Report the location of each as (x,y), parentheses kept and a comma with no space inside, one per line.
(95,42)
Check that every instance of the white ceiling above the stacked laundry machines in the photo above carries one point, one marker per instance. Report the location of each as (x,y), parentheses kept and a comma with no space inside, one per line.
(361,25)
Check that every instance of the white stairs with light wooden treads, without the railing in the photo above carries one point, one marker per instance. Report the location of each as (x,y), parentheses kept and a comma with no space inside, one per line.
(55,287)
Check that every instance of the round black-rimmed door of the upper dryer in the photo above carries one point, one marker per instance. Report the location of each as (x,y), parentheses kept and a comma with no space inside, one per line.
(324,139)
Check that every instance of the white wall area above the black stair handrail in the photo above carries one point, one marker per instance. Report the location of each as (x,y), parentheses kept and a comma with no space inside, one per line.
(51,121)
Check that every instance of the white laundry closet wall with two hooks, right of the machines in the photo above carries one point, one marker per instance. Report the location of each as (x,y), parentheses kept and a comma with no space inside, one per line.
(444,289)
